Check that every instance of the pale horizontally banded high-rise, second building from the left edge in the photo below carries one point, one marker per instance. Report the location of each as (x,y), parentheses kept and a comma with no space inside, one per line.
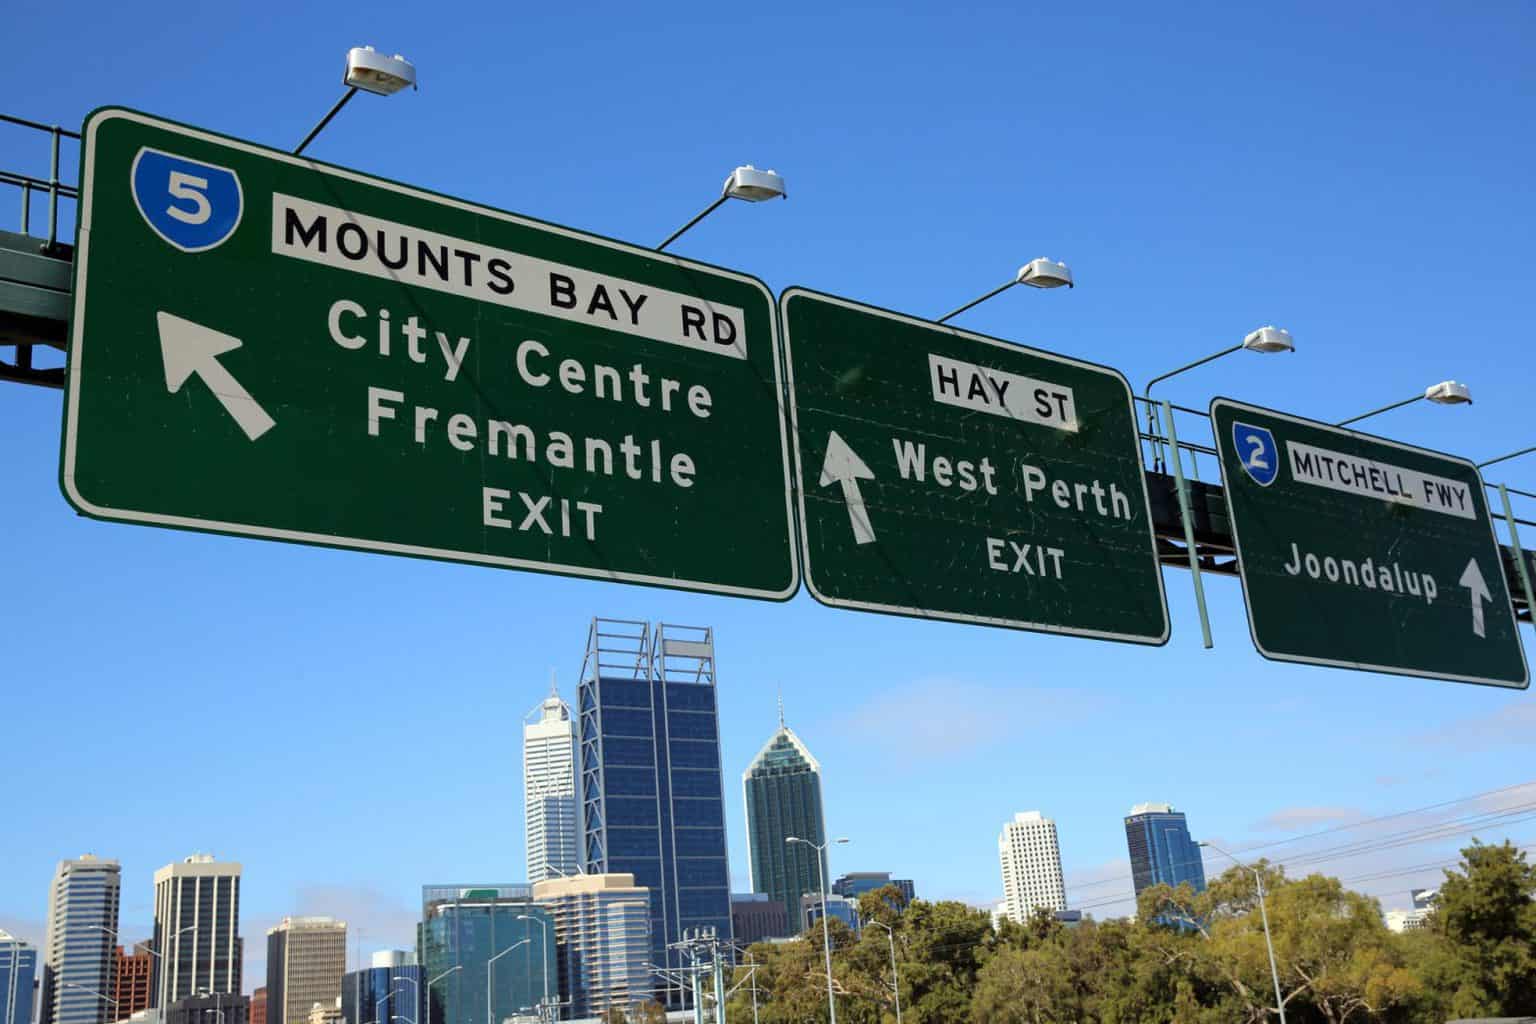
(79,950)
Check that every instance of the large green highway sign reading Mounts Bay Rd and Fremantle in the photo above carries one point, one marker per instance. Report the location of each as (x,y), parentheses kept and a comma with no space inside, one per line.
(273,348)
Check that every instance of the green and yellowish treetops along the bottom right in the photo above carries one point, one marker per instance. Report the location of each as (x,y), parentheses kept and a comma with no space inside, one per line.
(1187,959)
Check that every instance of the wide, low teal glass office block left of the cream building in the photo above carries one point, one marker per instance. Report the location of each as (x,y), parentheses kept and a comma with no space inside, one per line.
(500,940)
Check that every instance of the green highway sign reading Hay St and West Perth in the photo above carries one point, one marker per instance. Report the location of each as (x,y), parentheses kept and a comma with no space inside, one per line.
(948,475)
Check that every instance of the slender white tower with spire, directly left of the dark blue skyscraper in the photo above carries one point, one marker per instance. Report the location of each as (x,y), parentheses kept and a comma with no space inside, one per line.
(549,791)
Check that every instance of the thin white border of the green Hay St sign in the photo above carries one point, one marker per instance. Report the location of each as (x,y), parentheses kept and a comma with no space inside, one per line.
(948,616)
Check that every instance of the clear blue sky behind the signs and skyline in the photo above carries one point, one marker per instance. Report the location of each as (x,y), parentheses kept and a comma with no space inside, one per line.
(346,725)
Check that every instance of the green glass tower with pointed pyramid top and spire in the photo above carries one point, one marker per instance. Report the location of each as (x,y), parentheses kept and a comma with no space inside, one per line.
(783,791)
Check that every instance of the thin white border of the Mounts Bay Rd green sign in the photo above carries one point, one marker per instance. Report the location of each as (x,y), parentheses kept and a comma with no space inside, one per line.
(76,358)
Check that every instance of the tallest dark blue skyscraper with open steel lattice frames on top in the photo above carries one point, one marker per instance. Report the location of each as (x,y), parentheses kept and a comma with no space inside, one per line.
(650,776)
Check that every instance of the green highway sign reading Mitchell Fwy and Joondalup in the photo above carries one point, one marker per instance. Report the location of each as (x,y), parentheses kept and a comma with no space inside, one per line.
(1365,553)
